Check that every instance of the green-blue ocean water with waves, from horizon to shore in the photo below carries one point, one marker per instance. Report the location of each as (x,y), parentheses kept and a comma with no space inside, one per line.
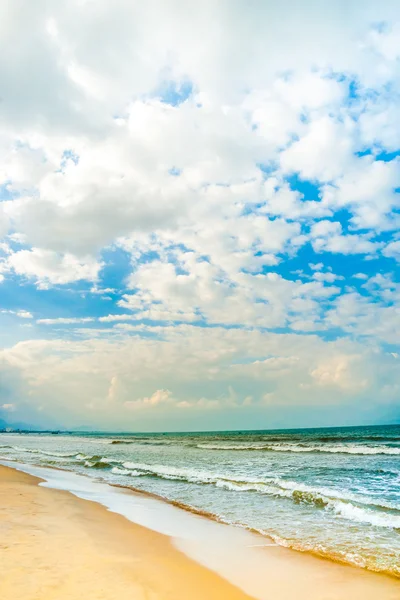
(333,492)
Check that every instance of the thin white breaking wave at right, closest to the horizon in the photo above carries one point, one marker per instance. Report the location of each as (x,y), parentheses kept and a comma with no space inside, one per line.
(339,449)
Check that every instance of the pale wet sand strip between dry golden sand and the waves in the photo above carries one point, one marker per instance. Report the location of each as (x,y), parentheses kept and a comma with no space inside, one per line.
(240,558)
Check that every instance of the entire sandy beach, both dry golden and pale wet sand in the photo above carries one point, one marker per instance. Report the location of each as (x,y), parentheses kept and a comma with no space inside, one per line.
(56,545)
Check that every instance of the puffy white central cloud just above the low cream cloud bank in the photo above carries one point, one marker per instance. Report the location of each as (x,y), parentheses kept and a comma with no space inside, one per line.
(202,291)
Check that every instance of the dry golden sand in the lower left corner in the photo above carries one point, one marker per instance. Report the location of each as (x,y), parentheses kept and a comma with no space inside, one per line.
(54,545)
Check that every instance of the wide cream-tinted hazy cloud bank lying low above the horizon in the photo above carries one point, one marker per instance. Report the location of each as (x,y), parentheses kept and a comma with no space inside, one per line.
(207,370)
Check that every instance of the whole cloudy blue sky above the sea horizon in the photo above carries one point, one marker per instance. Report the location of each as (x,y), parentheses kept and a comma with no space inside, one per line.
(199,213)
